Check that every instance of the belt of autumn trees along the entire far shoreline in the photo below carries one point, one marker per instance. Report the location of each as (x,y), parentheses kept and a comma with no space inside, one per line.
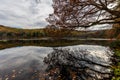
(57,33)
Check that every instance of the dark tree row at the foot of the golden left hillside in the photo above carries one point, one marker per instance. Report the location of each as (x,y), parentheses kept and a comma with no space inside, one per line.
(20,35)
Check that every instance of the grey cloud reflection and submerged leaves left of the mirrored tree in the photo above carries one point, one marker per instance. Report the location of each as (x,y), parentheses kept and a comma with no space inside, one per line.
(23,63)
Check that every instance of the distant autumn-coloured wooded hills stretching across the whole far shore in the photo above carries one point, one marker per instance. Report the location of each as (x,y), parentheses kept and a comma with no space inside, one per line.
(16,33)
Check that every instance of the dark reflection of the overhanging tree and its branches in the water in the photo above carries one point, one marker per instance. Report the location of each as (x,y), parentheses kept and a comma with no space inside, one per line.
(76,65)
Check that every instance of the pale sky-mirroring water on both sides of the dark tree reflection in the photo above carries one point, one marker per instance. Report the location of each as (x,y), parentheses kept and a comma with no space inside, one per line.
(27,62)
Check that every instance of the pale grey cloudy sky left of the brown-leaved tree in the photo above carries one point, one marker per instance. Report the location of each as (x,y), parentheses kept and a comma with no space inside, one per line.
(25,13)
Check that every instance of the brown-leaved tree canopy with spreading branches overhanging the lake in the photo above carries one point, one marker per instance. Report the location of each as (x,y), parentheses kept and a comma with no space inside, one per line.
(84,13)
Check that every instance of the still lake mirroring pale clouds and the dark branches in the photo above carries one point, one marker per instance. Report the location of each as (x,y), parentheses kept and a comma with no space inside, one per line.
(34,62)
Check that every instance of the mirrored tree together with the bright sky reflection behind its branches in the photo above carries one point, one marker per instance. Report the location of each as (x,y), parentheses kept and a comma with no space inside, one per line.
(81,62)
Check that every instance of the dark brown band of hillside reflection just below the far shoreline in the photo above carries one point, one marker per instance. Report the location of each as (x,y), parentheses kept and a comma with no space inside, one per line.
(49,43)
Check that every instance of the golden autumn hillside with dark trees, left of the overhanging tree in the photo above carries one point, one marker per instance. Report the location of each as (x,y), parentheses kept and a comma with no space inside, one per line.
(15,33)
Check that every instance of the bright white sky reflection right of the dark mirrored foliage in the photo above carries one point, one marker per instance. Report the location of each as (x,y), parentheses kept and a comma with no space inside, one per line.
(98,54)
